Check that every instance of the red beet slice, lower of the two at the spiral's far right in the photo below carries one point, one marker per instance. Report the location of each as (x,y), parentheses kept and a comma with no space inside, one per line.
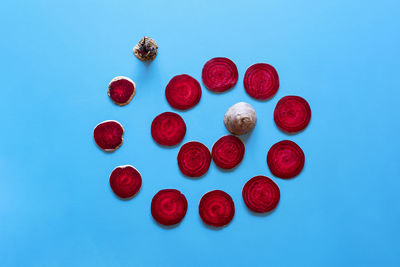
(285,159)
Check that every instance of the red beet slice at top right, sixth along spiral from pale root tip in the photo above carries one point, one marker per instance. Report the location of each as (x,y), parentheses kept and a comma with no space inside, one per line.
(261,81)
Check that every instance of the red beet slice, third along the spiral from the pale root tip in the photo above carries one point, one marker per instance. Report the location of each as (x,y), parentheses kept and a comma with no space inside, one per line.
(168,129)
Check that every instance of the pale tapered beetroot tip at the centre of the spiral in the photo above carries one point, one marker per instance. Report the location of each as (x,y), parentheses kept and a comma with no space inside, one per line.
(240,118)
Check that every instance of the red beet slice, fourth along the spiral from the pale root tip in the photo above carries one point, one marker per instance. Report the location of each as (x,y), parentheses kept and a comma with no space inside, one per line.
(183,92)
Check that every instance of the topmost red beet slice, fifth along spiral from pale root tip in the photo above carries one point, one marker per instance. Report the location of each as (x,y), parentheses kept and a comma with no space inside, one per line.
(219,74)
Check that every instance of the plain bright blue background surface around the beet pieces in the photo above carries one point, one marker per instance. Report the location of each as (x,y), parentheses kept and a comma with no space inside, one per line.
(57,57)
